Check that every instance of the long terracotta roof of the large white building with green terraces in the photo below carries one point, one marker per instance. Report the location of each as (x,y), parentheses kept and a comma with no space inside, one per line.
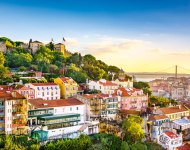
(40,103)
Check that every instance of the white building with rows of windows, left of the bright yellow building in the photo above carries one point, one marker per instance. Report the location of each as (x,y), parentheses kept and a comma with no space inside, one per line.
(46,91)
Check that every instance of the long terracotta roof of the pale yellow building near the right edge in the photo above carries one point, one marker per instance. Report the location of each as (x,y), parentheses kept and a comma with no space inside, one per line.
(174,109)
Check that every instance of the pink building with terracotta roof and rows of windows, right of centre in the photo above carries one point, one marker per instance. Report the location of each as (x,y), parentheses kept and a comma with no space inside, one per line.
(132,99)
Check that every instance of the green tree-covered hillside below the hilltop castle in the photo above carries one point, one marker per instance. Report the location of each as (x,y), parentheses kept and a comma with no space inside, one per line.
(47,60)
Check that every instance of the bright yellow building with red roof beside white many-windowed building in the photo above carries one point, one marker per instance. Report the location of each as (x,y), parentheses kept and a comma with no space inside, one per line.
(68,87)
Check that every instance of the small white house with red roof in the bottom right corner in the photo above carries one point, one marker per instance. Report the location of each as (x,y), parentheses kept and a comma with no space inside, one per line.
(170,140)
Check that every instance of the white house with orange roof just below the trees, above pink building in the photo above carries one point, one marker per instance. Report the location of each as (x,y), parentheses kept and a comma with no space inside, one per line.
(106,87)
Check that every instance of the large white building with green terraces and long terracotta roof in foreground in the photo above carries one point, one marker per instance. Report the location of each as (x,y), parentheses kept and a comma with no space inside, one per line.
(63,118)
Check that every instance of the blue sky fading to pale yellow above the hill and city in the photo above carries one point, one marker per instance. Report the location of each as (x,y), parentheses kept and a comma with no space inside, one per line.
(136,35)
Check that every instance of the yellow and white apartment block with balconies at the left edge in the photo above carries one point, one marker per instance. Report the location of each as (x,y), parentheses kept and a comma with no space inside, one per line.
(13,113)
